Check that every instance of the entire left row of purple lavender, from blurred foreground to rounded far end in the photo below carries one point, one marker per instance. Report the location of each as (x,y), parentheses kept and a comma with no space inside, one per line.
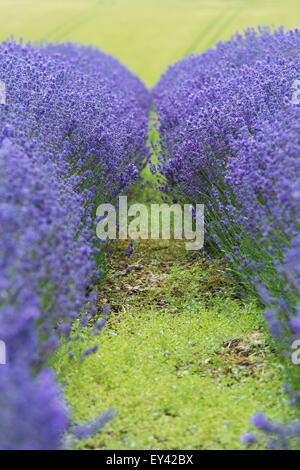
(72,134)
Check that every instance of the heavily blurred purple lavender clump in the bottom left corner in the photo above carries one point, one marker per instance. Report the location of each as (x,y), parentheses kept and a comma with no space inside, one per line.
(33,413)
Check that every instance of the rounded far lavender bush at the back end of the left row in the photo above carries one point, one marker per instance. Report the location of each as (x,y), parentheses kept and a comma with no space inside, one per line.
(90,119)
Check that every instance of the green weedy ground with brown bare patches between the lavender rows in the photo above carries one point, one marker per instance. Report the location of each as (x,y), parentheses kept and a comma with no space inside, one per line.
(182,361)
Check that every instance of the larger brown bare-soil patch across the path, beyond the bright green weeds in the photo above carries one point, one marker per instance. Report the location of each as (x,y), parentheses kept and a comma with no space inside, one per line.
(145,276)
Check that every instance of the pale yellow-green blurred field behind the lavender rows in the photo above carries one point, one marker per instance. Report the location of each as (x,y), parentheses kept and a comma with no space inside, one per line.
(146,35)
